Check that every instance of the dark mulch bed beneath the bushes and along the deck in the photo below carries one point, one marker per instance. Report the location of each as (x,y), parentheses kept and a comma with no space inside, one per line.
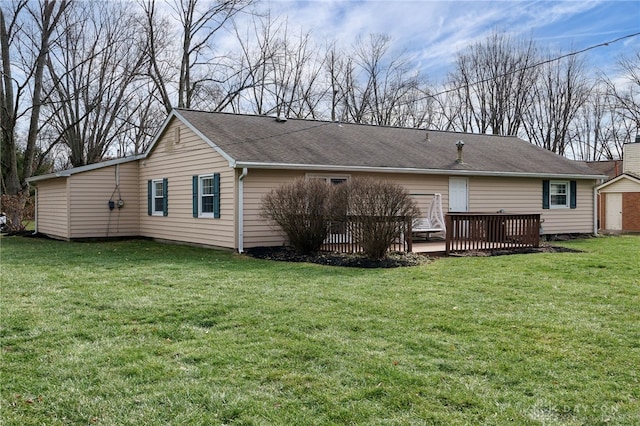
(393,260)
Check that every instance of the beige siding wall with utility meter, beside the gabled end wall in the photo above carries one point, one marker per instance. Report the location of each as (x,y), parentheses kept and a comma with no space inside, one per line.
(90,193)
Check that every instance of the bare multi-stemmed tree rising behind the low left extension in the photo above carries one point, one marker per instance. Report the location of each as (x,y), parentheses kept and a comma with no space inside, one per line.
(95,66)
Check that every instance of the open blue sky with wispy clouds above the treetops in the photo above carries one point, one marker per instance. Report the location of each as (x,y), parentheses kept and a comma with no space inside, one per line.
(433,31)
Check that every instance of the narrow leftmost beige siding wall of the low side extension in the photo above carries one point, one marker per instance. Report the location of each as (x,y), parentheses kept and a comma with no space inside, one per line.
(53,208)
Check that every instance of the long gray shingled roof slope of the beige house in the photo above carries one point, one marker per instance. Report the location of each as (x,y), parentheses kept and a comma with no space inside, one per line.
(264,141)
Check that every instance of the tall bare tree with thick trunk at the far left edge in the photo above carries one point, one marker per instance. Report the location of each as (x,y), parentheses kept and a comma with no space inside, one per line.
(25,36)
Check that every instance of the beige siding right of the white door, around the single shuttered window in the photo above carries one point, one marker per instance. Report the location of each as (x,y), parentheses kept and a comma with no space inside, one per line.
(523,195)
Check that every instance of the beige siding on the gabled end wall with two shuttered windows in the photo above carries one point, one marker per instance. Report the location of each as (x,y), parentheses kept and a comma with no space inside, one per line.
(179,160)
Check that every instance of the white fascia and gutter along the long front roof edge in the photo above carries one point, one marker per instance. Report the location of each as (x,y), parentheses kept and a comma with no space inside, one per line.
(318,167)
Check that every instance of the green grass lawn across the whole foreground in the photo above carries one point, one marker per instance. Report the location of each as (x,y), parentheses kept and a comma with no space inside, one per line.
(135,332)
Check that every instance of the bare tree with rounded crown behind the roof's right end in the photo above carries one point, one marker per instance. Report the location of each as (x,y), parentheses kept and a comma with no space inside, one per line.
(561,90)
